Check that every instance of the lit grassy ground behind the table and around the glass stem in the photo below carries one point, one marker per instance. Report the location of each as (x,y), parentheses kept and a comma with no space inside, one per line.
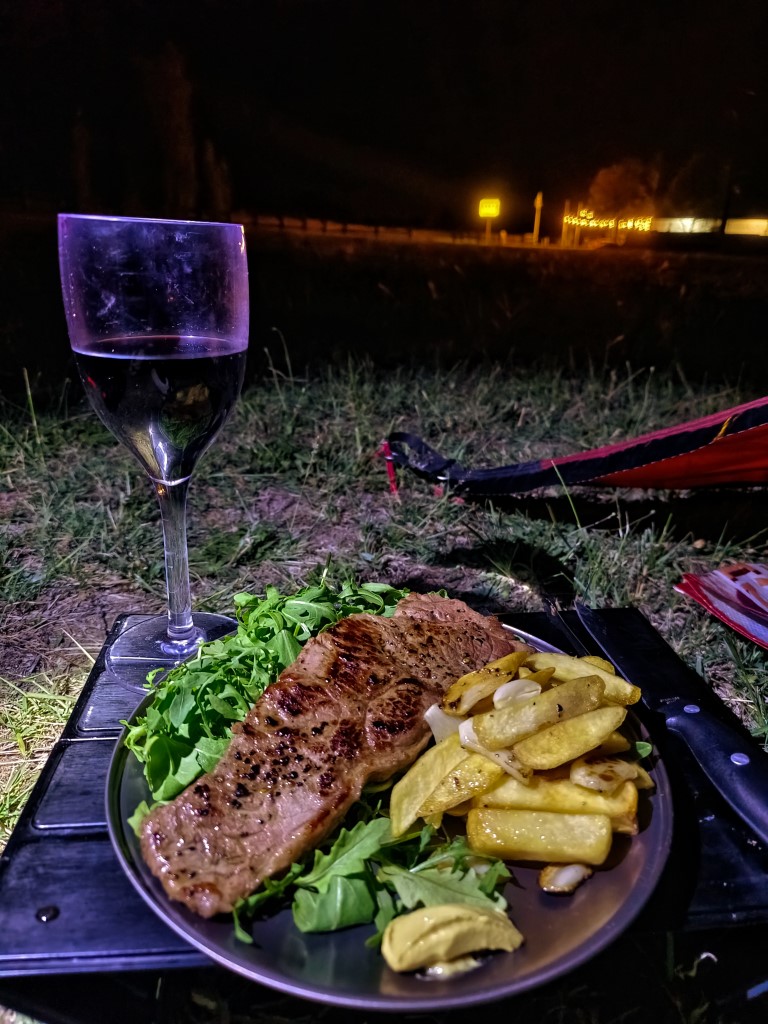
(296,483)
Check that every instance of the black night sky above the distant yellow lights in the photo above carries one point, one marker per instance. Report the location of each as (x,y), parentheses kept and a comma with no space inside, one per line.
(404,112)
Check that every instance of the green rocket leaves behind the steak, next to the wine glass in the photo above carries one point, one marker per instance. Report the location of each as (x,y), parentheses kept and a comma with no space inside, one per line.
(188,726)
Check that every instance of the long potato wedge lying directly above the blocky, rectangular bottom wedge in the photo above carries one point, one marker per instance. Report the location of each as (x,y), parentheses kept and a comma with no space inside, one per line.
(565,797)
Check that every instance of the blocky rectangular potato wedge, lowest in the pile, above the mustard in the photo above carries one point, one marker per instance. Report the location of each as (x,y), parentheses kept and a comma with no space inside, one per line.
(545,836)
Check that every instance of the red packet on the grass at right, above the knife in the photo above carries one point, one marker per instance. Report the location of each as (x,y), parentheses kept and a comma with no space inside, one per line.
(737,594)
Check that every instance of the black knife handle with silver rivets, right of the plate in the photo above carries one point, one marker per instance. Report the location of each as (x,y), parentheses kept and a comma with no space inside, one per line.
(740,776)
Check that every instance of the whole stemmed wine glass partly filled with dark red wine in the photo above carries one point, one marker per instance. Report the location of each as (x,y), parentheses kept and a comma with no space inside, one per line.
(157,313)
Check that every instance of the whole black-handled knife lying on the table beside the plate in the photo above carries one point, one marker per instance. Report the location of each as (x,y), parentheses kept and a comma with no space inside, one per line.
(734,762)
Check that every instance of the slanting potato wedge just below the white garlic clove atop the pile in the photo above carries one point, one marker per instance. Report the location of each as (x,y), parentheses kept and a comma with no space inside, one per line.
(508,726)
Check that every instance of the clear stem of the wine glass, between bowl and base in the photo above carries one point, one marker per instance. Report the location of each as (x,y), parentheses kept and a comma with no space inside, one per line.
(173,499)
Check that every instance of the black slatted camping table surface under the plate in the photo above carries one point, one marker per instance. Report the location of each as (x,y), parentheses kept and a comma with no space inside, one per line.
(75,936)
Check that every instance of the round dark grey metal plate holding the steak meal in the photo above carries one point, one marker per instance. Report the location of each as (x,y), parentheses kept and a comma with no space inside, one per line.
(561,932)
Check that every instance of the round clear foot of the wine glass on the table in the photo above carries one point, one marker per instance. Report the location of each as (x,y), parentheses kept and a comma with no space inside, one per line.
(145,647)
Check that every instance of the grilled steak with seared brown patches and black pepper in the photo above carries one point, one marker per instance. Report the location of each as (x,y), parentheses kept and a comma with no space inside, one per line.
(350,710)
